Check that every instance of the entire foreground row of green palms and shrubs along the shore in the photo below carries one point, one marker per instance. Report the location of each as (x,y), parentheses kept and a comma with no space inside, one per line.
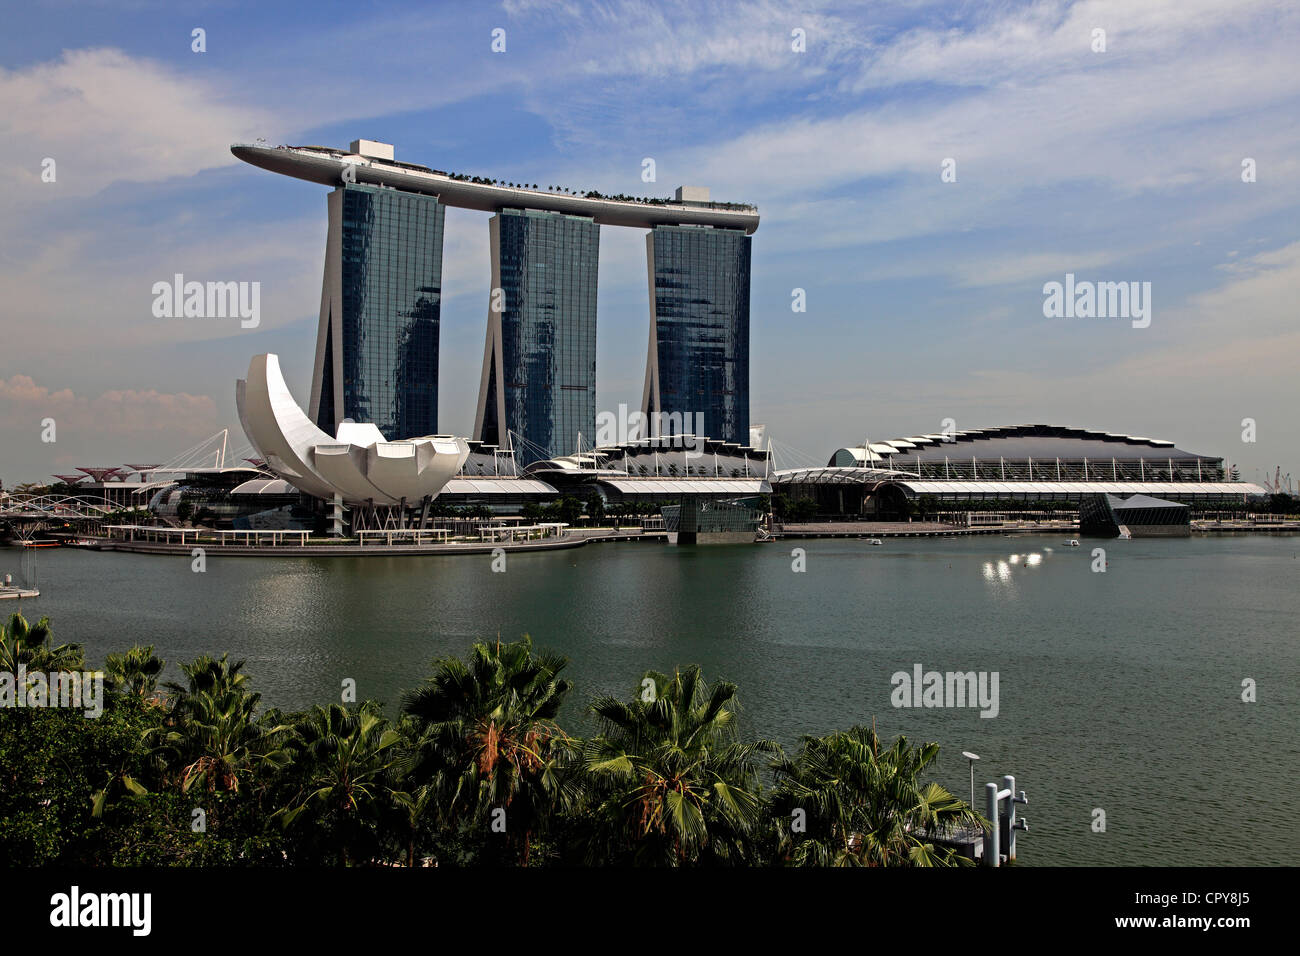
(475,772)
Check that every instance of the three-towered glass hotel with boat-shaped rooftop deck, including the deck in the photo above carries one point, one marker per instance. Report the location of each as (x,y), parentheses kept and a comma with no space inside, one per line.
(378,347)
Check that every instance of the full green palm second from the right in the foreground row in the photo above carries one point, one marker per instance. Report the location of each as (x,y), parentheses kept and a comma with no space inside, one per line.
(671,782)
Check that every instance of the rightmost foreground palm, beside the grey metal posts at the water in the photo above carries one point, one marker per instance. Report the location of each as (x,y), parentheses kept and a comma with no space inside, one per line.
(864,804)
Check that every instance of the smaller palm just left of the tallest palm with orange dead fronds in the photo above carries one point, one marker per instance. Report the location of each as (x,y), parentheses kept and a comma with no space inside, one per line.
(348,756)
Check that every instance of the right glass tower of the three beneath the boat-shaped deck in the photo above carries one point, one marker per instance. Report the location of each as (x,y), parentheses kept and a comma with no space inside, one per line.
(699,362)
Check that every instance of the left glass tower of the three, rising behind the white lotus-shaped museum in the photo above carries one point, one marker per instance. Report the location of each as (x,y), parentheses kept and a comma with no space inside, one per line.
(378,348)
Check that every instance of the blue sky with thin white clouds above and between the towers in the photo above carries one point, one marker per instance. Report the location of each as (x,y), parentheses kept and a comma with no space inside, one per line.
(925,299)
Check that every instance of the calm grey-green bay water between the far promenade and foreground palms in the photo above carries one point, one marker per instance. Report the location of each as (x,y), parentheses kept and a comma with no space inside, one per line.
(1117,691)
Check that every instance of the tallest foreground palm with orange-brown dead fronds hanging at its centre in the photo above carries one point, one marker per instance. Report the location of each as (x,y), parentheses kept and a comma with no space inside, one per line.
(489,732)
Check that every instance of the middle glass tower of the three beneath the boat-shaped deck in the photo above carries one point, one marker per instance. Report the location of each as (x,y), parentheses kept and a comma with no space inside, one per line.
(538,392)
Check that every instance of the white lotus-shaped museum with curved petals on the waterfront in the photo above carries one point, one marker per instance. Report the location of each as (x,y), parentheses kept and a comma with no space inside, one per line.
(357,464)
